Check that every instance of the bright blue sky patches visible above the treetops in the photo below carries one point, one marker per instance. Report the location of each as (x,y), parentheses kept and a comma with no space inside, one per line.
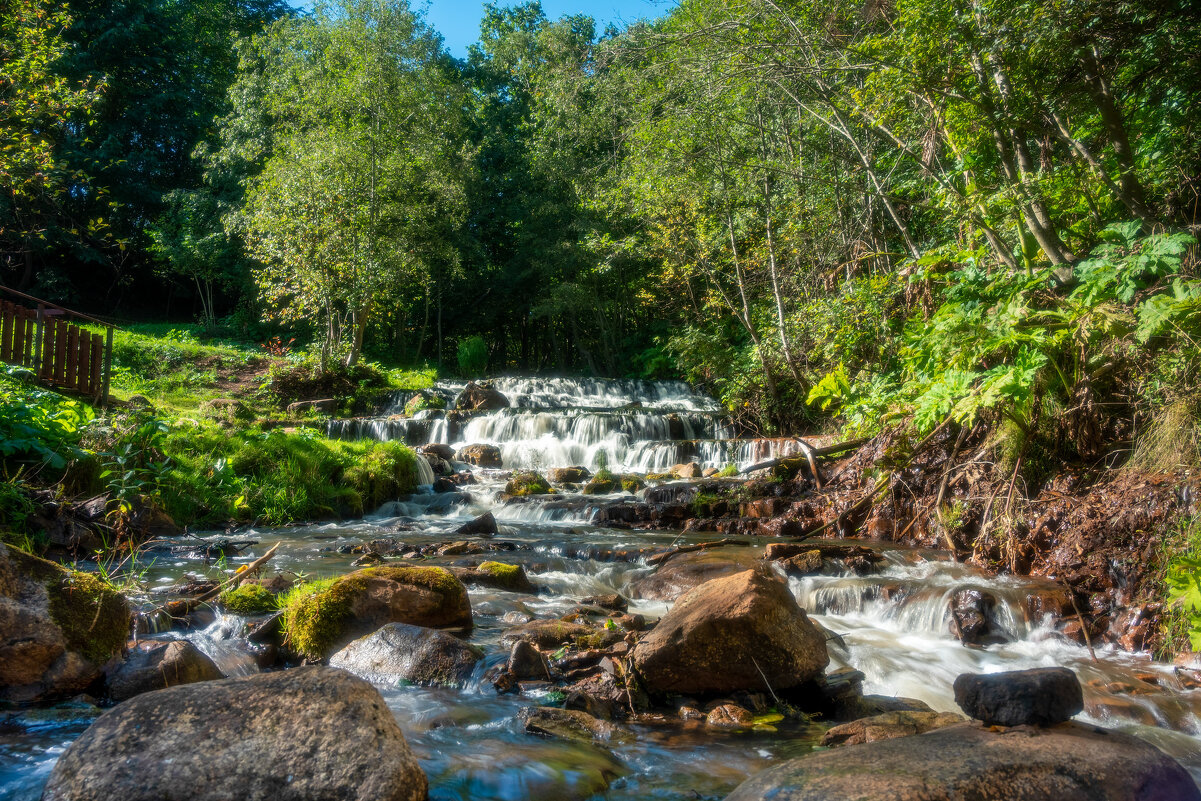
(458,21)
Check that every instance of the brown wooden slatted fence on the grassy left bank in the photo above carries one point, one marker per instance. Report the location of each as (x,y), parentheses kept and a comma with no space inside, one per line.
(59,352)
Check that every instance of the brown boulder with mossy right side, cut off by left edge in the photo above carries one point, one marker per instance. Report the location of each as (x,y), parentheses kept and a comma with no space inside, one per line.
(58,629)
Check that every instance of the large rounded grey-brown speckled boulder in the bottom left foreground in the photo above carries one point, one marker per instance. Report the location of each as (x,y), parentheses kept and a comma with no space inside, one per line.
(310,733)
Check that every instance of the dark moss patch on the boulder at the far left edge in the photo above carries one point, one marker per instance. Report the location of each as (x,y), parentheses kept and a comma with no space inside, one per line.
(94,617)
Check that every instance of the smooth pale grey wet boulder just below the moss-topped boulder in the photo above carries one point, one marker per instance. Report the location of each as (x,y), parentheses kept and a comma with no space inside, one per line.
(401,653)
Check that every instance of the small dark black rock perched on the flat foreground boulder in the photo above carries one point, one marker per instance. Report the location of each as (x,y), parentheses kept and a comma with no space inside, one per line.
(1039,697)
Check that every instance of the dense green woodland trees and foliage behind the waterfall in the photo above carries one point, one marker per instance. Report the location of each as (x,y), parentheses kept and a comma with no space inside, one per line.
(906,207)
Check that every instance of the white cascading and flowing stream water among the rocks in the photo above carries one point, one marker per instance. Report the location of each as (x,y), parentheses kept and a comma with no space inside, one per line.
(893,625)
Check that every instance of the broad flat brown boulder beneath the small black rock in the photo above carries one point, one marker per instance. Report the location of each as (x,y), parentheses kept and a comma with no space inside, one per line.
(1067,763)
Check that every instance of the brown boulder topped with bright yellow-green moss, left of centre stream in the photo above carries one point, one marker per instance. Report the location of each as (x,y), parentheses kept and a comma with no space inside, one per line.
(319,624)
